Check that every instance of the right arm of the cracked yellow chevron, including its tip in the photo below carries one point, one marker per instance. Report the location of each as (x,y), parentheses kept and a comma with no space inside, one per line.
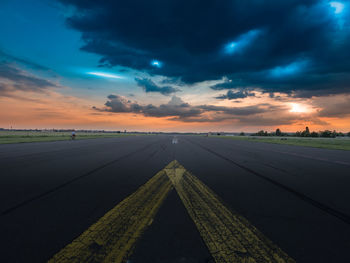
(228,236)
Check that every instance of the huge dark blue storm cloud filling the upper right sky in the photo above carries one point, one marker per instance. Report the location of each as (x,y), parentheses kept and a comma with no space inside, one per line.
(277,45)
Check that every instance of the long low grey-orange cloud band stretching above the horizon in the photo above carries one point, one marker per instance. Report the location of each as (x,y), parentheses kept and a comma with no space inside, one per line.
(252,115)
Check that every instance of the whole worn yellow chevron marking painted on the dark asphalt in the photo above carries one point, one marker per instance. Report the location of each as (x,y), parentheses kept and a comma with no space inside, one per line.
(229,237)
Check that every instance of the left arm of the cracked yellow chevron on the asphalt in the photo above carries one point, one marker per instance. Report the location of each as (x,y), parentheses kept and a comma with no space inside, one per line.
(112,238)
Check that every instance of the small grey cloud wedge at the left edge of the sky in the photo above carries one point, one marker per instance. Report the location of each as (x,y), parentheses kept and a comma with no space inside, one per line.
(13,78)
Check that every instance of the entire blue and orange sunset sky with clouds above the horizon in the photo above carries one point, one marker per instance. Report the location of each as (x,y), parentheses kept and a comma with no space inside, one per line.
(185,66)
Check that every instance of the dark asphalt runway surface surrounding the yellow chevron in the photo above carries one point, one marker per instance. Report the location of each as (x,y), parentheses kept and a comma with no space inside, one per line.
(297,197)
